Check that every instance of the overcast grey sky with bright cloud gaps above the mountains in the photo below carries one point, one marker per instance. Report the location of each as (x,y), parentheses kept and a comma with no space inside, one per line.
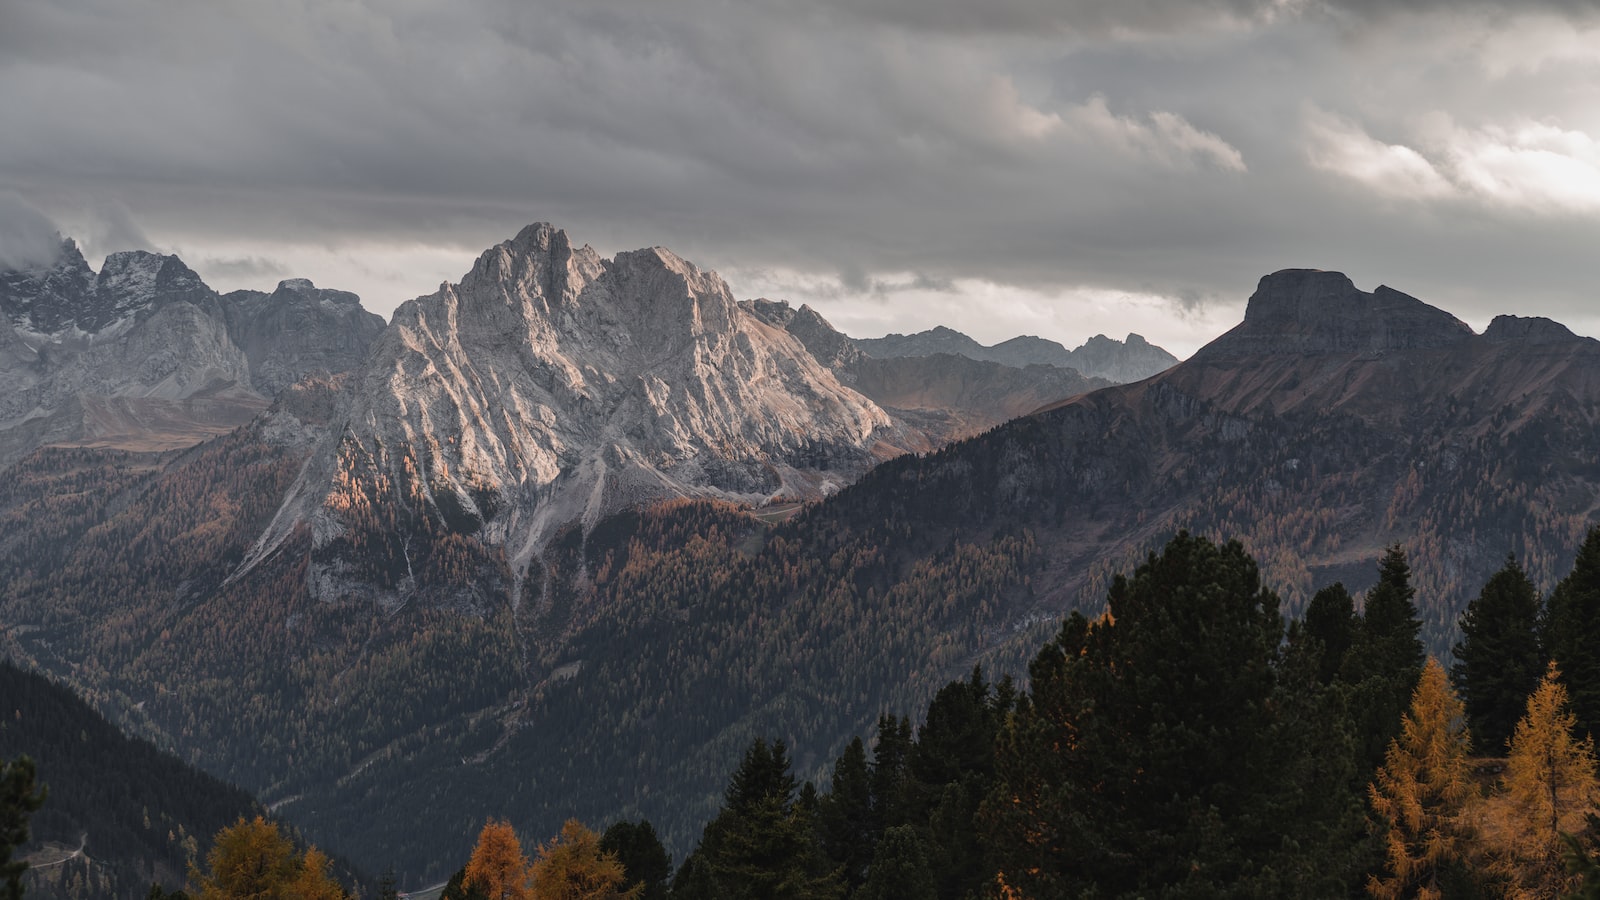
(1054,167)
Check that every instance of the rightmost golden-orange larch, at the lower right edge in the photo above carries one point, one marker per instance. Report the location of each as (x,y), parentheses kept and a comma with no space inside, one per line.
(1551,785)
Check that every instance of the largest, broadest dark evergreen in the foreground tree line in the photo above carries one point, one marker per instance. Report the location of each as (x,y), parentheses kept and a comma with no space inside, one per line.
(1143,760)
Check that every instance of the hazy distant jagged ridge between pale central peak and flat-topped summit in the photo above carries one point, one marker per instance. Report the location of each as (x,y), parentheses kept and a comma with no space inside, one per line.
(1100,358)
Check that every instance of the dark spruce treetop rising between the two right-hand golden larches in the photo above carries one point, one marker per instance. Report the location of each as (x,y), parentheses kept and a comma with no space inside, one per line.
(1498,661)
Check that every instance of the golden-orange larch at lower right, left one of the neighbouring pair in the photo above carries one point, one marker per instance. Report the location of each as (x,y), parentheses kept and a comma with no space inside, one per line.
(1423,792)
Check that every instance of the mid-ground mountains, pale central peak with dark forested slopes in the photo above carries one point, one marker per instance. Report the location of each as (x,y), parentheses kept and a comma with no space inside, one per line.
(510,565)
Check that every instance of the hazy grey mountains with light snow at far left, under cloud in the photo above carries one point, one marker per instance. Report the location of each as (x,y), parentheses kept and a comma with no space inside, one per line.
(143,355)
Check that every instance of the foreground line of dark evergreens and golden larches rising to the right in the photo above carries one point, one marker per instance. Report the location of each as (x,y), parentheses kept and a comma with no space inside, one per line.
(1185,742)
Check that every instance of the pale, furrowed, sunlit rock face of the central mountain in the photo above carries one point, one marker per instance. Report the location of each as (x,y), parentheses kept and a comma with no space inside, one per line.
(554,387)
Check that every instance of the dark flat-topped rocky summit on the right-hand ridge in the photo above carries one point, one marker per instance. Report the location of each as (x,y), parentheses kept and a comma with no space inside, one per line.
(1311,311)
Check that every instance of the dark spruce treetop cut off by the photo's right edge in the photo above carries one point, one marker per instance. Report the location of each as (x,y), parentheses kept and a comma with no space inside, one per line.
(1572,633)
